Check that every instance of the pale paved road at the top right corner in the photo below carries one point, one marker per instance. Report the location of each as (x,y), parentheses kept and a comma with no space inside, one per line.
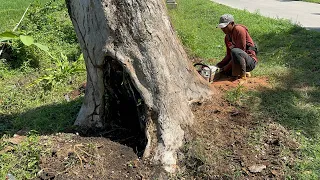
(302,13)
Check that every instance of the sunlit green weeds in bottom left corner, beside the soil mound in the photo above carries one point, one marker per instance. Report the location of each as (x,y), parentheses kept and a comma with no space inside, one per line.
(22,160)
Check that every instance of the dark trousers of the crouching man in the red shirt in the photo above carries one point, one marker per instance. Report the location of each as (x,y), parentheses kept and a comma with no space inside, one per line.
(241,62)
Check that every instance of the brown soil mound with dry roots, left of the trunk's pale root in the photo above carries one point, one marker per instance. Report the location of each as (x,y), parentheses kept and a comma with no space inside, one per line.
(70,156)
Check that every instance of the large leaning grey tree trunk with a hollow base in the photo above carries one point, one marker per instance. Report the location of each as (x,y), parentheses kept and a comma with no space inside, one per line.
(137,73)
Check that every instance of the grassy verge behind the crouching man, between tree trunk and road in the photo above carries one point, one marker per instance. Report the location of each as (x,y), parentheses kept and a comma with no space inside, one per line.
(287,58)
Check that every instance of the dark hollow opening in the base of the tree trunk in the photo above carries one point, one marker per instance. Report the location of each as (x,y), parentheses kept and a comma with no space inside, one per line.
(125,109)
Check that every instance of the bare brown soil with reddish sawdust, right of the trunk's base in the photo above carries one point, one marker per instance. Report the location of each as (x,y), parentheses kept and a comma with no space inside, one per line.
(228,143)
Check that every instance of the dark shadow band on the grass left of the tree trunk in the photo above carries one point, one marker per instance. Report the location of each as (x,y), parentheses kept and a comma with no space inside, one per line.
(45,119)
